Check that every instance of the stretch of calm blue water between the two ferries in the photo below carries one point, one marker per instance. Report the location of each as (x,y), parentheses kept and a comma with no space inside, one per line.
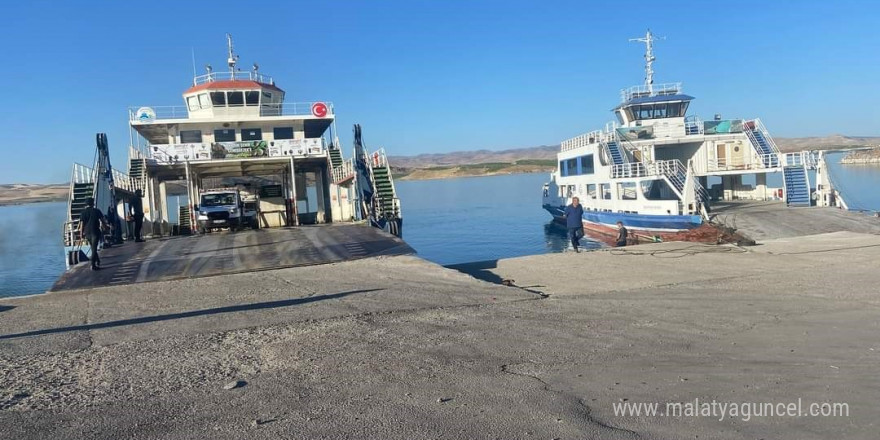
(479,218)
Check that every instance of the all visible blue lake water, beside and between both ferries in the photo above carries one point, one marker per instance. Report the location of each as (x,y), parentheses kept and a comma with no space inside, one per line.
(447,221)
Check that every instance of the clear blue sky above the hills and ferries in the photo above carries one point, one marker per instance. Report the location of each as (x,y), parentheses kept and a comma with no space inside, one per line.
(432,76)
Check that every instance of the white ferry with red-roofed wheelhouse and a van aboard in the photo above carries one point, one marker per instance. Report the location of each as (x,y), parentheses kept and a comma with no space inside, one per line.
(280,162)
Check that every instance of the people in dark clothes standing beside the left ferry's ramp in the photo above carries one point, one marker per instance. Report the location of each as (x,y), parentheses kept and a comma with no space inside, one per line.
(93,223)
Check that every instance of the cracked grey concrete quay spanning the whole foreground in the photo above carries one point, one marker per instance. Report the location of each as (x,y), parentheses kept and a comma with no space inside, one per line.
(395,347)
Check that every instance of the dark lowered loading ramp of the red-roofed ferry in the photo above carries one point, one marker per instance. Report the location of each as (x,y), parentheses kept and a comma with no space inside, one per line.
(224,253)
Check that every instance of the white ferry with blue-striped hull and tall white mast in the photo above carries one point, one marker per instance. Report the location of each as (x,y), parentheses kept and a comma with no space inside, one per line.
(650,168)
